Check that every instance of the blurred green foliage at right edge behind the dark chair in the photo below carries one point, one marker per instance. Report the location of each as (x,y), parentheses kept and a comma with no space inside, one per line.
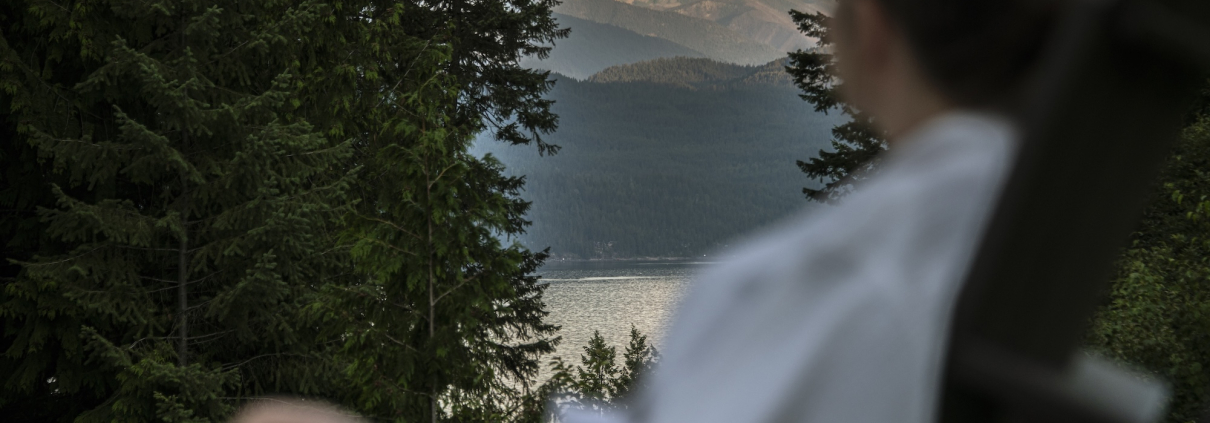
(1160,308)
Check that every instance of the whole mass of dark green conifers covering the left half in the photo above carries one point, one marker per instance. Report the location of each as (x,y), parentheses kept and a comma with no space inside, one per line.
(205,202)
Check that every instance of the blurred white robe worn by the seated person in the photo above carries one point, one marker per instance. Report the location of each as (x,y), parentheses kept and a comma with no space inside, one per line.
(842,315)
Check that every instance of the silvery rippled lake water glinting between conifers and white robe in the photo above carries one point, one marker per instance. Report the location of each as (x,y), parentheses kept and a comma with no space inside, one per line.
(610,297)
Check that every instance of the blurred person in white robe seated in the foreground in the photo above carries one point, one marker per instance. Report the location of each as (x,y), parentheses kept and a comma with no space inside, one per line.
(843,315)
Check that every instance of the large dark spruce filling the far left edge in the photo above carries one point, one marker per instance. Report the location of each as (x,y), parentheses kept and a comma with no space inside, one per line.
(187,210)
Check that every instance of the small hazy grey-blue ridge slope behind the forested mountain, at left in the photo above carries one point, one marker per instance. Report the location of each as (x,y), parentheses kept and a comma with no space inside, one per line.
(595,47)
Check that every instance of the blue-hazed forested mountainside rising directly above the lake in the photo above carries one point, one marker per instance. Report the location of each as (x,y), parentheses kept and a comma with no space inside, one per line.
(675,169)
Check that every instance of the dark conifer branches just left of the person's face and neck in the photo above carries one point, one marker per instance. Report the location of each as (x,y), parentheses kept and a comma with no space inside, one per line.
(857,143)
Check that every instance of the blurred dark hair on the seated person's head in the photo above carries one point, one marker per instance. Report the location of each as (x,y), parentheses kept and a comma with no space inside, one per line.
(977,53)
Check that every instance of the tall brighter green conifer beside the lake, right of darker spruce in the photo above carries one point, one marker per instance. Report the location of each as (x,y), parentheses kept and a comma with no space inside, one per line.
(443,321)
